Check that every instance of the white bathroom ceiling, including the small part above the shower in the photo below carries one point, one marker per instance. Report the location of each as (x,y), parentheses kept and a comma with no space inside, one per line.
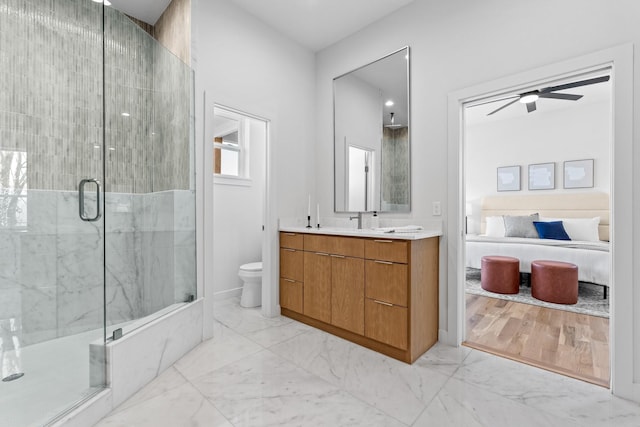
(315,24)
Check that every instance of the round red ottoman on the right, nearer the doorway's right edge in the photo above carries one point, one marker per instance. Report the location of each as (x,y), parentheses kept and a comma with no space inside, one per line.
(554,281)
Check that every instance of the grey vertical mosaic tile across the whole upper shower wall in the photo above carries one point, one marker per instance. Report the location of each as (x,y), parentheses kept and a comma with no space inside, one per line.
(51,98)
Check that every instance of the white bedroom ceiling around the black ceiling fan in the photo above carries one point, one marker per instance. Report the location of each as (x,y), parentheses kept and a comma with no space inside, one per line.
(477,114)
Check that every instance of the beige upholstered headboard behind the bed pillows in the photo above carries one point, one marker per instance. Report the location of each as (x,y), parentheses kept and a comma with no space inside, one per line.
(568,205)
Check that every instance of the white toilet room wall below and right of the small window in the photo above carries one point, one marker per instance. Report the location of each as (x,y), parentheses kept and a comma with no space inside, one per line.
(238,217)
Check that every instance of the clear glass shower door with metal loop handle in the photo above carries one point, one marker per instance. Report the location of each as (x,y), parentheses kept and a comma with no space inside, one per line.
(51,207)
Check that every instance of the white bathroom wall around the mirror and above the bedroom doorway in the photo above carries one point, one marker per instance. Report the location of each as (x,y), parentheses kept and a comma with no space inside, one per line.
(457,44)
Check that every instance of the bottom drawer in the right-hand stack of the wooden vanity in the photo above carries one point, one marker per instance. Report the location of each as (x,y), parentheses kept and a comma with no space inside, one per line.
(386,323)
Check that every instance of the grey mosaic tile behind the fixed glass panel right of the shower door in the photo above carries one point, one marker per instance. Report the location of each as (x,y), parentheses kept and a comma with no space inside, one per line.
(147,111)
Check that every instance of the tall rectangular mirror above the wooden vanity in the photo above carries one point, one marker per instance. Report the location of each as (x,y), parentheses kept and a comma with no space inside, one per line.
(372,137)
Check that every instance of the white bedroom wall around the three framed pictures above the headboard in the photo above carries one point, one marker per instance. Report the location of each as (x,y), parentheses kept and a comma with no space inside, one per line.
(574,133)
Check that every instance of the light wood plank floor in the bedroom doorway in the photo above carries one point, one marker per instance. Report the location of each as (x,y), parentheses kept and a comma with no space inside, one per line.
(576,345)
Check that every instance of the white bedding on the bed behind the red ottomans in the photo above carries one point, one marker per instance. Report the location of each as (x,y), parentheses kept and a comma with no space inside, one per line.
(592,258)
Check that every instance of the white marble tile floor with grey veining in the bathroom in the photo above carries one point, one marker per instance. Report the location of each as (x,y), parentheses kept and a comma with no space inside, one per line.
(278,372)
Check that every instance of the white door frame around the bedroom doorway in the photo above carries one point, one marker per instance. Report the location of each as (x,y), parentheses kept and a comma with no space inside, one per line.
(625,343)
